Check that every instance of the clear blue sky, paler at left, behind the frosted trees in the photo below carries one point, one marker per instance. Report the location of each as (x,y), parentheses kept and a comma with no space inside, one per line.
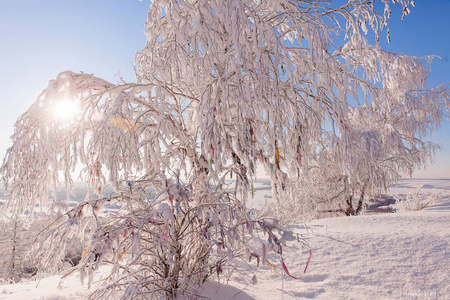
(41,38)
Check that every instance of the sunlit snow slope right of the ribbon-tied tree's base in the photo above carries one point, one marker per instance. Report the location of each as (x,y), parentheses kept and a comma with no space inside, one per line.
(386,256)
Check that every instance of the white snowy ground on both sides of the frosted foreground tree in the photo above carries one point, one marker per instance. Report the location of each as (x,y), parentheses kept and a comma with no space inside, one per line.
(403,255)
